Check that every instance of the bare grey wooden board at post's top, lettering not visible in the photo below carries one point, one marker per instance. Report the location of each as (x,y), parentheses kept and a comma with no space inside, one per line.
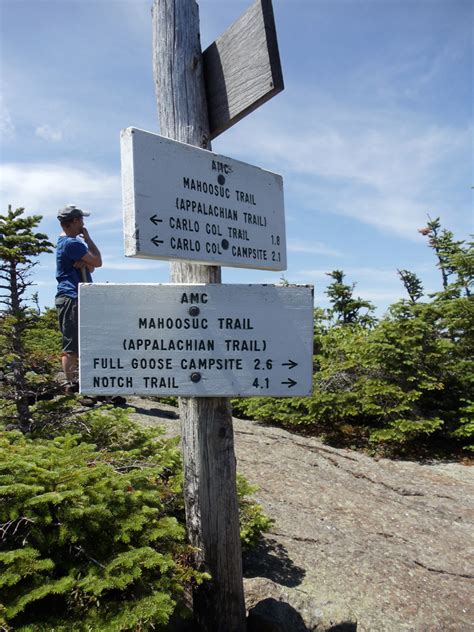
(242,68)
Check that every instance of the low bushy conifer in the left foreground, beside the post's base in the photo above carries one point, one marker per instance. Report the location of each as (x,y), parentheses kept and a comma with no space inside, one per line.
(92,539)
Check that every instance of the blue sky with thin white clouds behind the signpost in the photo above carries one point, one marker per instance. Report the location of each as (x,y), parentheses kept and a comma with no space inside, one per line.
(372,132)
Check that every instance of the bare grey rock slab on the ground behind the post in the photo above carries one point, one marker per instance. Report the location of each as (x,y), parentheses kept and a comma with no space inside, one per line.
(358,543)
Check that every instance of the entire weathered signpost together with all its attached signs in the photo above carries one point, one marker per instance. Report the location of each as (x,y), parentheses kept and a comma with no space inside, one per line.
(240,71)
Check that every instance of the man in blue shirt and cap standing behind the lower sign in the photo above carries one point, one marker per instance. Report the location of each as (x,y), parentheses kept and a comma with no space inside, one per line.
(75,261)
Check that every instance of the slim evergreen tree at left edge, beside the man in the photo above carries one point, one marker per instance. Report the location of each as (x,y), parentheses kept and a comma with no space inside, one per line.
(20,246)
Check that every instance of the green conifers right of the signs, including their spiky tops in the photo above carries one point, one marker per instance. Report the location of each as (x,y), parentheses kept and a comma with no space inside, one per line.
(402,384)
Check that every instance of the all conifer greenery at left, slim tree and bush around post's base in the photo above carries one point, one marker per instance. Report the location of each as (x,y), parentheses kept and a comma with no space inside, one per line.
(92,534)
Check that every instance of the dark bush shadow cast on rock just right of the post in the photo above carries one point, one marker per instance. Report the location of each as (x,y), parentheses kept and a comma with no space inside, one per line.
(270,559)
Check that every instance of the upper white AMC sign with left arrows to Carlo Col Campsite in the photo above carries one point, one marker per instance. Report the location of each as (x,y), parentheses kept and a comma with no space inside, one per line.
(182,202)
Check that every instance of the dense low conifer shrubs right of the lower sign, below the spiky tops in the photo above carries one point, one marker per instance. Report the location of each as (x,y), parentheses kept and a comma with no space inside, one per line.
(405,382)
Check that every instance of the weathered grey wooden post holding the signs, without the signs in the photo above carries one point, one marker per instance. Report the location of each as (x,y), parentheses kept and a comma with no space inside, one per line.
(207,433)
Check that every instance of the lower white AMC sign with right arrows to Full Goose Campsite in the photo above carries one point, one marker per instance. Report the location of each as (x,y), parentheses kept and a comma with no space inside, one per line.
(206,340)
